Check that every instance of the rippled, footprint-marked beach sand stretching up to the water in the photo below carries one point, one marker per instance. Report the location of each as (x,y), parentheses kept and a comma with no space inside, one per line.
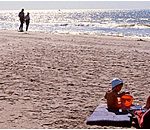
(56,81)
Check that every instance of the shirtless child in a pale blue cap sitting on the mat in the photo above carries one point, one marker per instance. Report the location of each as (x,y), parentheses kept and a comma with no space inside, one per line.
(113,94)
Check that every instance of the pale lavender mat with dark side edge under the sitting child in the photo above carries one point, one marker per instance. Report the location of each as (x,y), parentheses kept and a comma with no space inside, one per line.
(104,117)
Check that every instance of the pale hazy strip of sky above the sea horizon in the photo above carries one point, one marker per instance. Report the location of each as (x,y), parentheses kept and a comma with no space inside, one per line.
(45,5)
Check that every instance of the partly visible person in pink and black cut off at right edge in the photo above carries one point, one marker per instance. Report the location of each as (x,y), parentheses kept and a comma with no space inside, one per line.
(143,117)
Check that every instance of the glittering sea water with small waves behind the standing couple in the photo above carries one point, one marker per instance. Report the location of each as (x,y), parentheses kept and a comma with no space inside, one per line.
(126,23)
